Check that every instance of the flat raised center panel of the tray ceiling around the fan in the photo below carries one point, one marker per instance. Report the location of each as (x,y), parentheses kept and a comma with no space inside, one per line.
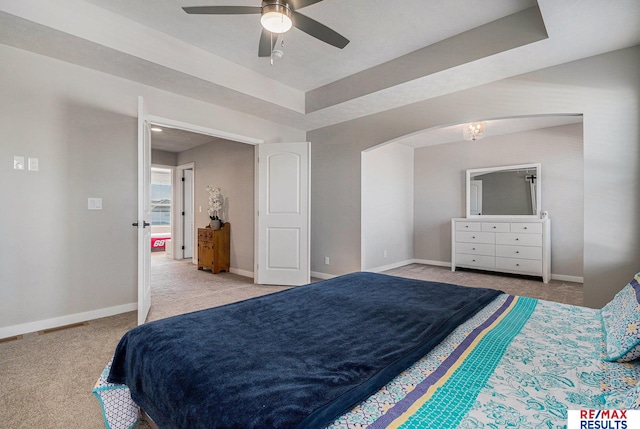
(407,25)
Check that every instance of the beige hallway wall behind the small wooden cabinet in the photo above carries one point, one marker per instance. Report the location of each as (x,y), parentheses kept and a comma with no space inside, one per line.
(229,165)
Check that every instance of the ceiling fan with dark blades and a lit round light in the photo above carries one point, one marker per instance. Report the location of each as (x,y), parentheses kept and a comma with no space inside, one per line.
(277,16)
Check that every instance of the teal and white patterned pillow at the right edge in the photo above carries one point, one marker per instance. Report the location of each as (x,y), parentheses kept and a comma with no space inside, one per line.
(621,323)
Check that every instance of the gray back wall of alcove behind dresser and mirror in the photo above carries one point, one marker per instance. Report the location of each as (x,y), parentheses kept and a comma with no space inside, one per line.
(440,189)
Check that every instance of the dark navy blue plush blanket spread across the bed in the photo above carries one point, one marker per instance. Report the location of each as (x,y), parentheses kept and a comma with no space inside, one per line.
(297,358)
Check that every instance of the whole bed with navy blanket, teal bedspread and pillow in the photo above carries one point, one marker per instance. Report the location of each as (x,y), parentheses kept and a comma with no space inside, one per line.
(371,350)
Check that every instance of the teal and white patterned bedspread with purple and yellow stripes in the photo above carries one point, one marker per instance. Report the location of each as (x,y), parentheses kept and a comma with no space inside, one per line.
(519,362)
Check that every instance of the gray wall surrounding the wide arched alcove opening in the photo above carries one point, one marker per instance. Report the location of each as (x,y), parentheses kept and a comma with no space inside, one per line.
(605,89)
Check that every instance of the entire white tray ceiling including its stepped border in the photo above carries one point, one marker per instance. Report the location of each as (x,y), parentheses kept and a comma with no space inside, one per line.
(401,52)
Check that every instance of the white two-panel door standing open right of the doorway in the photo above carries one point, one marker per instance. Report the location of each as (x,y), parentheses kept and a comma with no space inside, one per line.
(282,245)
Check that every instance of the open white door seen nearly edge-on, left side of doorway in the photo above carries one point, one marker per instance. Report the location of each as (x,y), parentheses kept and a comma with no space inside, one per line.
(144,213)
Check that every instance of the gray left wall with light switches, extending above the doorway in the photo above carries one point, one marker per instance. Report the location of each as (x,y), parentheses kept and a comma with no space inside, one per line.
(60,262)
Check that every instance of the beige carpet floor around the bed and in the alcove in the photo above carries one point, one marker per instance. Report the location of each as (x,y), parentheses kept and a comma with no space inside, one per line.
(46,379)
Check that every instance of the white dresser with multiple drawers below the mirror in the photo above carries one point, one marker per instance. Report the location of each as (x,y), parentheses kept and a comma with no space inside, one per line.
(510,245)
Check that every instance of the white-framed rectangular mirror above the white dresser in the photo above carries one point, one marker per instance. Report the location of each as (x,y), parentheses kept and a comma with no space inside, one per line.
(512,190)
